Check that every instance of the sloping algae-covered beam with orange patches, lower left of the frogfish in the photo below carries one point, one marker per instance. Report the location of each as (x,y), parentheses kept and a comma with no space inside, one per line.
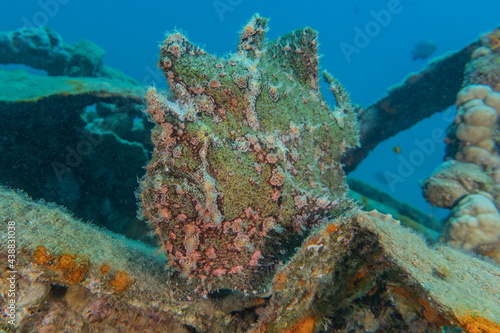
(70,275)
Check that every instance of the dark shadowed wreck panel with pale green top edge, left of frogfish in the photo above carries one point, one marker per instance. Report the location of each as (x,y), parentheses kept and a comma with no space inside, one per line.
(79,142)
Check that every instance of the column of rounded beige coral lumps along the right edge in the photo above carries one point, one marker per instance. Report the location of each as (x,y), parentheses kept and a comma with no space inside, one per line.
(468,182)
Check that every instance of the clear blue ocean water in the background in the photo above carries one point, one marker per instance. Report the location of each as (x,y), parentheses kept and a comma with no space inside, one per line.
(130,32)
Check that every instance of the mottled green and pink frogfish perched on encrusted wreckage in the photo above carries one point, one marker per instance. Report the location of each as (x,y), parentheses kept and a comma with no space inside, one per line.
(246,158)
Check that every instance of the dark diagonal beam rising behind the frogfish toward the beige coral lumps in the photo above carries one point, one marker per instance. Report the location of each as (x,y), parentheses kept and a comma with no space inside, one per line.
(419,96)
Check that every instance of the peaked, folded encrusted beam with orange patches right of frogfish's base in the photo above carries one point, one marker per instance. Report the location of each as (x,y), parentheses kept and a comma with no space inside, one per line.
(347,273)
